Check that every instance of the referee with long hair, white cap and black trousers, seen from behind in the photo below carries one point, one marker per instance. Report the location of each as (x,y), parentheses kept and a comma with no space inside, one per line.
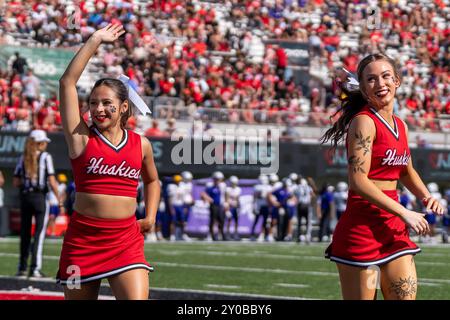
(33,174)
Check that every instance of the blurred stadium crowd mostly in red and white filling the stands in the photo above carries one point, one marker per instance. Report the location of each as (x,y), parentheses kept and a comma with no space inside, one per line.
(212,57)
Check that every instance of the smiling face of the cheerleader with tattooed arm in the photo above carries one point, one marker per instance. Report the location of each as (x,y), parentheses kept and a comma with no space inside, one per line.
(379,83)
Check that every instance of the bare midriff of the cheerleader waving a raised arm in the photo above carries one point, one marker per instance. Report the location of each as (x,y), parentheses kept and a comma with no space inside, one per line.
(104,206)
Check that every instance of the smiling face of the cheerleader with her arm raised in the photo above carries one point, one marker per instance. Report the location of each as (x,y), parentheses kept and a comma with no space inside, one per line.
(106,107)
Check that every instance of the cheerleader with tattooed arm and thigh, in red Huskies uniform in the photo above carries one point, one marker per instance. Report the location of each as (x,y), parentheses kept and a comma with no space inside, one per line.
(371,240)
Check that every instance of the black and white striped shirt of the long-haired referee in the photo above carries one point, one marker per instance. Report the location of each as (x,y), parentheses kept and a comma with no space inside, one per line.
(45,169)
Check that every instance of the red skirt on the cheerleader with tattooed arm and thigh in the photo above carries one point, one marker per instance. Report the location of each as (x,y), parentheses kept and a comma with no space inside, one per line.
(367,235)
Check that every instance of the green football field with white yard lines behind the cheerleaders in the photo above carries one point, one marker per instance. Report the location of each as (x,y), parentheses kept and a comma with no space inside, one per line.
(275,269)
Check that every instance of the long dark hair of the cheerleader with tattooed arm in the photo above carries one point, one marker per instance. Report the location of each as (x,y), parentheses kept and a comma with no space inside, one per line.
(352,101)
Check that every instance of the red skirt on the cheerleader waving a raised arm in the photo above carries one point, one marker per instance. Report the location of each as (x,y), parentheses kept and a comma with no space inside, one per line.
(95,248)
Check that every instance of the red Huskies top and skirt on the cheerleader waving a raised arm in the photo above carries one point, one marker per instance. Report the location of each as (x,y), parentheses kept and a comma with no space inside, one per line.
(95,248)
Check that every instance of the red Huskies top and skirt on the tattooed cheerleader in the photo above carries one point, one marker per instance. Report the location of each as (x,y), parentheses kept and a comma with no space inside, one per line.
(365,234)
